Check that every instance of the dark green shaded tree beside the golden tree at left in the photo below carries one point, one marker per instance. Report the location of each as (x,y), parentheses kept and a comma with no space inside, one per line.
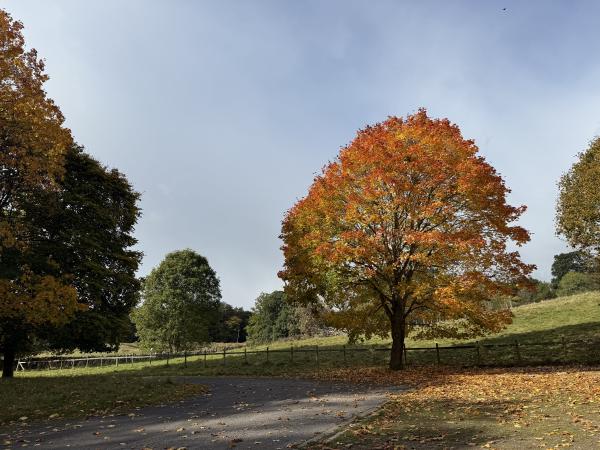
(89,231)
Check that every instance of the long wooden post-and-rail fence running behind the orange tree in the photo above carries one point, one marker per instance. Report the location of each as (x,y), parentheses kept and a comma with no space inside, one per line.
(475,354)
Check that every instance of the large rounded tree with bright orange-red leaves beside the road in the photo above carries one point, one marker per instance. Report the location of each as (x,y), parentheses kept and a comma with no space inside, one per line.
(407,229)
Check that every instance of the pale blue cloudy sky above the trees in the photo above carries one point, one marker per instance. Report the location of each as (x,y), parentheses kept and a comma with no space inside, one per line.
(221,112)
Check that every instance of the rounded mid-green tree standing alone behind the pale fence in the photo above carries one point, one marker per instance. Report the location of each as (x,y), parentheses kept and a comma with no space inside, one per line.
(181,300)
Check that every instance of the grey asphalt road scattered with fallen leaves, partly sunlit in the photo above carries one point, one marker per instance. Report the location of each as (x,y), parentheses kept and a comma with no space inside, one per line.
(242,413)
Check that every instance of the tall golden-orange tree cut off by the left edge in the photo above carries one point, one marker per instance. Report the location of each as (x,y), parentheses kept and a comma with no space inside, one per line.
(33,144)
